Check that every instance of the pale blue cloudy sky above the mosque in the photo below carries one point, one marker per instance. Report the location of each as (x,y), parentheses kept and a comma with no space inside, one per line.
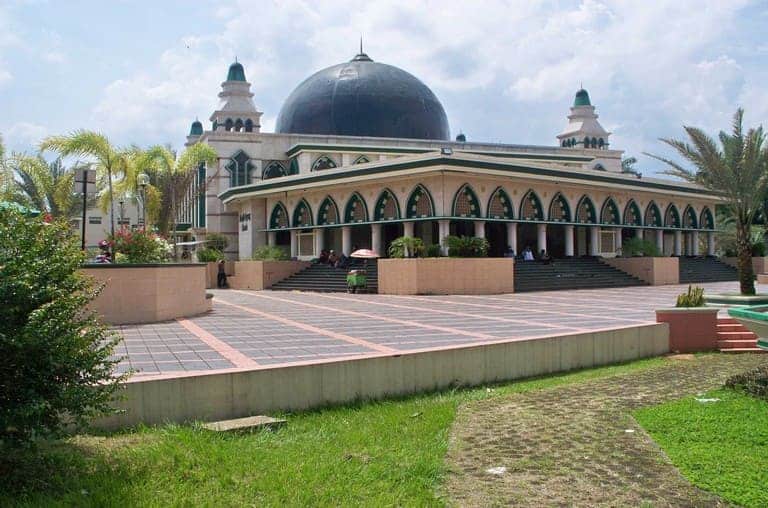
(506,71)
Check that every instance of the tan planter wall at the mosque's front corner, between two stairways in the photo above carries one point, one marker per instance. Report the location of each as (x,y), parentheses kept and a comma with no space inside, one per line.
(446,276)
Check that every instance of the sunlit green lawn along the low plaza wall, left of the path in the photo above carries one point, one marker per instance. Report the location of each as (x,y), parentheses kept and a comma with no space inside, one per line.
(378,453)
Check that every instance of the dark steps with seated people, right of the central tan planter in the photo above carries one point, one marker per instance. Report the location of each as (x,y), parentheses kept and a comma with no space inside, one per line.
(574,273)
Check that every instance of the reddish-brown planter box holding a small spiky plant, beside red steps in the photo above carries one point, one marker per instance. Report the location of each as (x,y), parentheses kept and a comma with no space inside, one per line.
(690,329)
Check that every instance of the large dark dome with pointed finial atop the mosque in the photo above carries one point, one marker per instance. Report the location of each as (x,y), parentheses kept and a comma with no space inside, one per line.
(364,98)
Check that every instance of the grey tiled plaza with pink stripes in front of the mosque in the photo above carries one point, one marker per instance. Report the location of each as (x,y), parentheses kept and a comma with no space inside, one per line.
(252,329)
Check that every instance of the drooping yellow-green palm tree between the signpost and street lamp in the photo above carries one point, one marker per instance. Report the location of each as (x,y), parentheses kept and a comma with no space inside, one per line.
(111,162)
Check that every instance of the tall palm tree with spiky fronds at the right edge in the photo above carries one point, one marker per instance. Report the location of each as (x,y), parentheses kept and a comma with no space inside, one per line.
(737,170)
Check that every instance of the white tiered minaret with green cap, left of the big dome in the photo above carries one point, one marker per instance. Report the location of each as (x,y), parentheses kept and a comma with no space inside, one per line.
(236,112)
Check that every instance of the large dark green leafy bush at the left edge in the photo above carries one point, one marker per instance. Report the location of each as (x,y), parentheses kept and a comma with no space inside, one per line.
(56,364)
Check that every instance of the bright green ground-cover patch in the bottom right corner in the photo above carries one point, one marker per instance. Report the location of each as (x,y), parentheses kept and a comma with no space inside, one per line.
(721,446)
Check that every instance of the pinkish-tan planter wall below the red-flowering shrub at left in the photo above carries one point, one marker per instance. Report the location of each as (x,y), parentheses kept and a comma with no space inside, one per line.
(149,293)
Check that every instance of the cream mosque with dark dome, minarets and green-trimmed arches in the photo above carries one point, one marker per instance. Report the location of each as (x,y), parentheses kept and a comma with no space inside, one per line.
(362,154)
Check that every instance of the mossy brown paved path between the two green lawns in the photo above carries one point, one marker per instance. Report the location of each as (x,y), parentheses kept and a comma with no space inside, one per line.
(578,444)
